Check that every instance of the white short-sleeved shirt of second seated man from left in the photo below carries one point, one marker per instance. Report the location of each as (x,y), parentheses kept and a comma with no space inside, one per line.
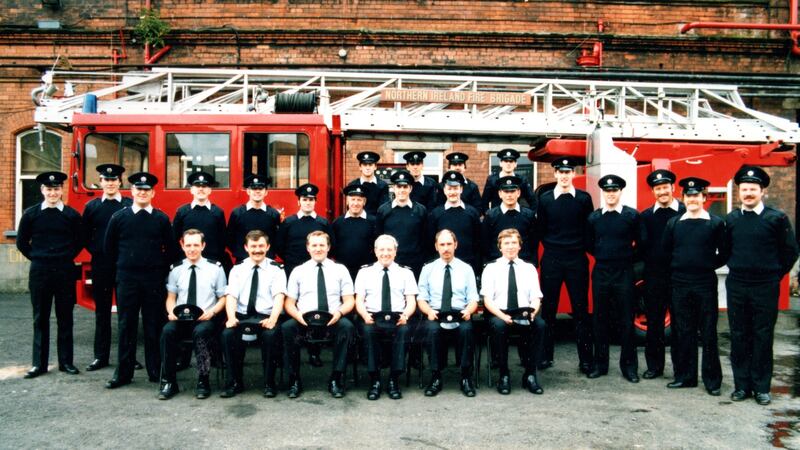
(271,282)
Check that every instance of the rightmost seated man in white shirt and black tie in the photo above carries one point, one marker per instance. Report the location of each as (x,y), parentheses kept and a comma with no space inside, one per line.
(509,283)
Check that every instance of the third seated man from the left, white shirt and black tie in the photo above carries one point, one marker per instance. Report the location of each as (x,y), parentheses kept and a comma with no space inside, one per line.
(319,284)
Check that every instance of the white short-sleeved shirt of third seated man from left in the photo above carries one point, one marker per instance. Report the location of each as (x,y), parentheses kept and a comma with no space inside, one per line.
(302,285)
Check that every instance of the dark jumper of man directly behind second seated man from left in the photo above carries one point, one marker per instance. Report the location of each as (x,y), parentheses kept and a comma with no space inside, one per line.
(245,219)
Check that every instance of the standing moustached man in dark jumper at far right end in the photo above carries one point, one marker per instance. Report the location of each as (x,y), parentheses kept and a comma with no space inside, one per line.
(763,250)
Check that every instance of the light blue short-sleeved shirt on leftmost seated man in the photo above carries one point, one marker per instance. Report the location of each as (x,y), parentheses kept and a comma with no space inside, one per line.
(210,279)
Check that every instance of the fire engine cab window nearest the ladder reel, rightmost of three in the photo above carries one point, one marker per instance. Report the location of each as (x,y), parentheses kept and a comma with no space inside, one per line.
(283,156)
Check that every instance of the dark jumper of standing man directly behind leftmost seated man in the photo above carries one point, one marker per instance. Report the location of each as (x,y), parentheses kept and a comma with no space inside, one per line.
(210,219)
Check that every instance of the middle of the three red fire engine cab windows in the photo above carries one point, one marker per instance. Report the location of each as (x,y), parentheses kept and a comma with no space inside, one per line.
(196,152)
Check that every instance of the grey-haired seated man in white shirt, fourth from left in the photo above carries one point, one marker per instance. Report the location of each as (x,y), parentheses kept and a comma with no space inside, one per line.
(384,289)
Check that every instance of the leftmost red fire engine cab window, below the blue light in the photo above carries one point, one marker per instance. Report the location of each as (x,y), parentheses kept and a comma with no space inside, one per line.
(130,150)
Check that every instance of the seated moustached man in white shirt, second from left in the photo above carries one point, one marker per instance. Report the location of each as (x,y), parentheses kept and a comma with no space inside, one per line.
(256,291)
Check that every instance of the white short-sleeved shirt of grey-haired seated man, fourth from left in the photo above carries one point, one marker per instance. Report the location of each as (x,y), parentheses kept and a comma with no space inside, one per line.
(369,283)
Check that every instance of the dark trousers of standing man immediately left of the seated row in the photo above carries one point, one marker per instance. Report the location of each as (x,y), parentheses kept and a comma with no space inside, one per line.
(148,296)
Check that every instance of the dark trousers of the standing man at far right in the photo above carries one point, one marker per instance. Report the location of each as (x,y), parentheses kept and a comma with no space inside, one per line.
(752,312)
